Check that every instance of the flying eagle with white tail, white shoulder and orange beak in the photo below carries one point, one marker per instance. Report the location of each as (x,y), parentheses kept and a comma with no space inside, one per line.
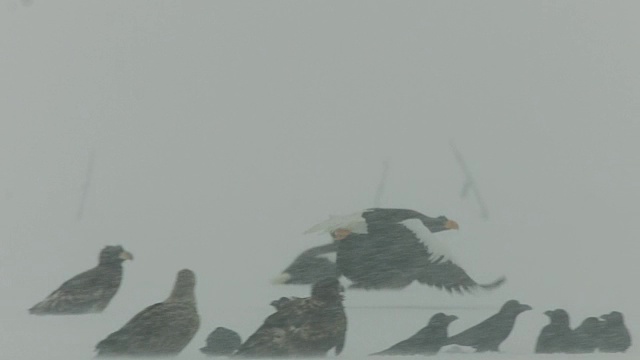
(390,248)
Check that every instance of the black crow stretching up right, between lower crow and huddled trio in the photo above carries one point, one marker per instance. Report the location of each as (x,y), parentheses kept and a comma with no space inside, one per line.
(489,334)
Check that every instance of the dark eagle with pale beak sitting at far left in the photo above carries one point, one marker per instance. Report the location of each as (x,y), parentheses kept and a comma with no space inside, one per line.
(90,291)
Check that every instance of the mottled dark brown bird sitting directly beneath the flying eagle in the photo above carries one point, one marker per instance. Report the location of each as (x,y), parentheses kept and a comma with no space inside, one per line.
(302,327)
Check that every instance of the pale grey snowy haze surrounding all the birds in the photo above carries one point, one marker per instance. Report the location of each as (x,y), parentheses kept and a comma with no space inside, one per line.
(223,130)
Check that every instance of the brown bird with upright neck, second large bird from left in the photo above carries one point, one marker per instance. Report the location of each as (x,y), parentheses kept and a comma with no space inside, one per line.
(162,329)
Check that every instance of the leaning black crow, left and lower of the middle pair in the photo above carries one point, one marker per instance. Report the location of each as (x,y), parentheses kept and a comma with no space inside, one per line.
(427,341)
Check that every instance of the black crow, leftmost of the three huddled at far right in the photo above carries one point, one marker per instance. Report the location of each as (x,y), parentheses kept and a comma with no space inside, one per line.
(557,336)
